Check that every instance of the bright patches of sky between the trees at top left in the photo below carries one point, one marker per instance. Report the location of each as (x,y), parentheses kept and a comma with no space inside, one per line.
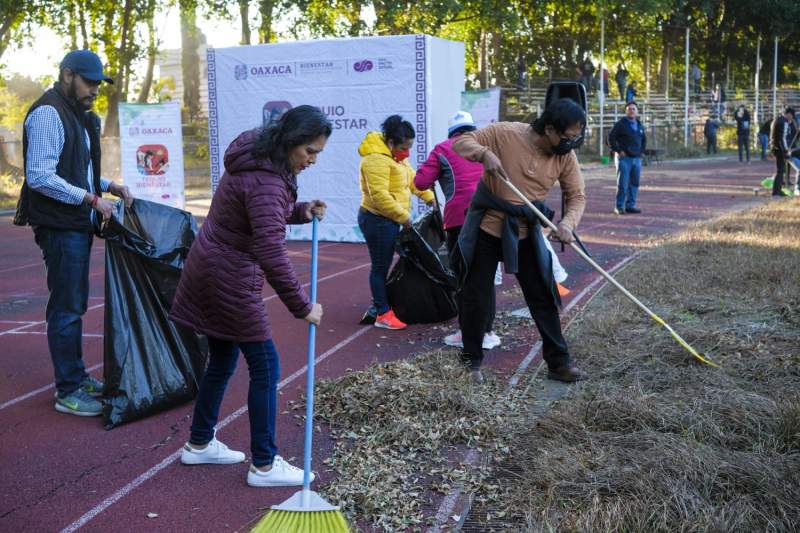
(43,58)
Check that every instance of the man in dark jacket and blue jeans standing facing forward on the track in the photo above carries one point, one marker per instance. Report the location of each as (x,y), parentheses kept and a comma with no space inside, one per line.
(628,140)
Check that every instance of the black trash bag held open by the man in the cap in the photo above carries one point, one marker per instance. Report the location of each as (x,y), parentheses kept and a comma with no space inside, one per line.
(150,363)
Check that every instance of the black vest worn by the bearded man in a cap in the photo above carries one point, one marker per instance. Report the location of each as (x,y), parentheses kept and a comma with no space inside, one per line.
(37,209)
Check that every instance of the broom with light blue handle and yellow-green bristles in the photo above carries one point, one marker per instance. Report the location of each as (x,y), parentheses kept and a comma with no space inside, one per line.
(306,511)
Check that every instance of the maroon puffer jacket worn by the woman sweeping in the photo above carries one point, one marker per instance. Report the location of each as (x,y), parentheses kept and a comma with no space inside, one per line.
(243,238)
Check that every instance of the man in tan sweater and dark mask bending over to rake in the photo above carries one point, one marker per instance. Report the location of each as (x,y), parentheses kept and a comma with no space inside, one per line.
(497,226)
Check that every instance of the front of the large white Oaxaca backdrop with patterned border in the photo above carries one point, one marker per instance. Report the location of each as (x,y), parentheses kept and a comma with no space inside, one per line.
(357,83)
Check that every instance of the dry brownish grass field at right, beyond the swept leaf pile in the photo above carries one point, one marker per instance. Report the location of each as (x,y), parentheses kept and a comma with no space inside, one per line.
(657,442)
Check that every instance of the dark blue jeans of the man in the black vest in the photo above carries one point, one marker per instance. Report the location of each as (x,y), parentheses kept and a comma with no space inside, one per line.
(66,258)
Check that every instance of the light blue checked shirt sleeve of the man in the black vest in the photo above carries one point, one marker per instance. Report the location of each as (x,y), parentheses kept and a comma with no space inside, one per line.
(45,142)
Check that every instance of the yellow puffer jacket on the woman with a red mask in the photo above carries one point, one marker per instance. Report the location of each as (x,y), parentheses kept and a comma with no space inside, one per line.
(386,185)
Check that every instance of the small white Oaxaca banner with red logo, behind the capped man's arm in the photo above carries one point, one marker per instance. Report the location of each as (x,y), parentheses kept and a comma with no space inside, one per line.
(151,151)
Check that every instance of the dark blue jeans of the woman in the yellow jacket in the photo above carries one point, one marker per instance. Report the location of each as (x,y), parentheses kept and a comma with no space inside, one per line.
(380,234)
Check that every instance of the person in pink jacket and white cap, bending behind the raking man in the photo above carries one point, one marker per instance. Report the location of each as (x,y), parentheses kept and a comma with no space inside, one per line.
(458,179)
